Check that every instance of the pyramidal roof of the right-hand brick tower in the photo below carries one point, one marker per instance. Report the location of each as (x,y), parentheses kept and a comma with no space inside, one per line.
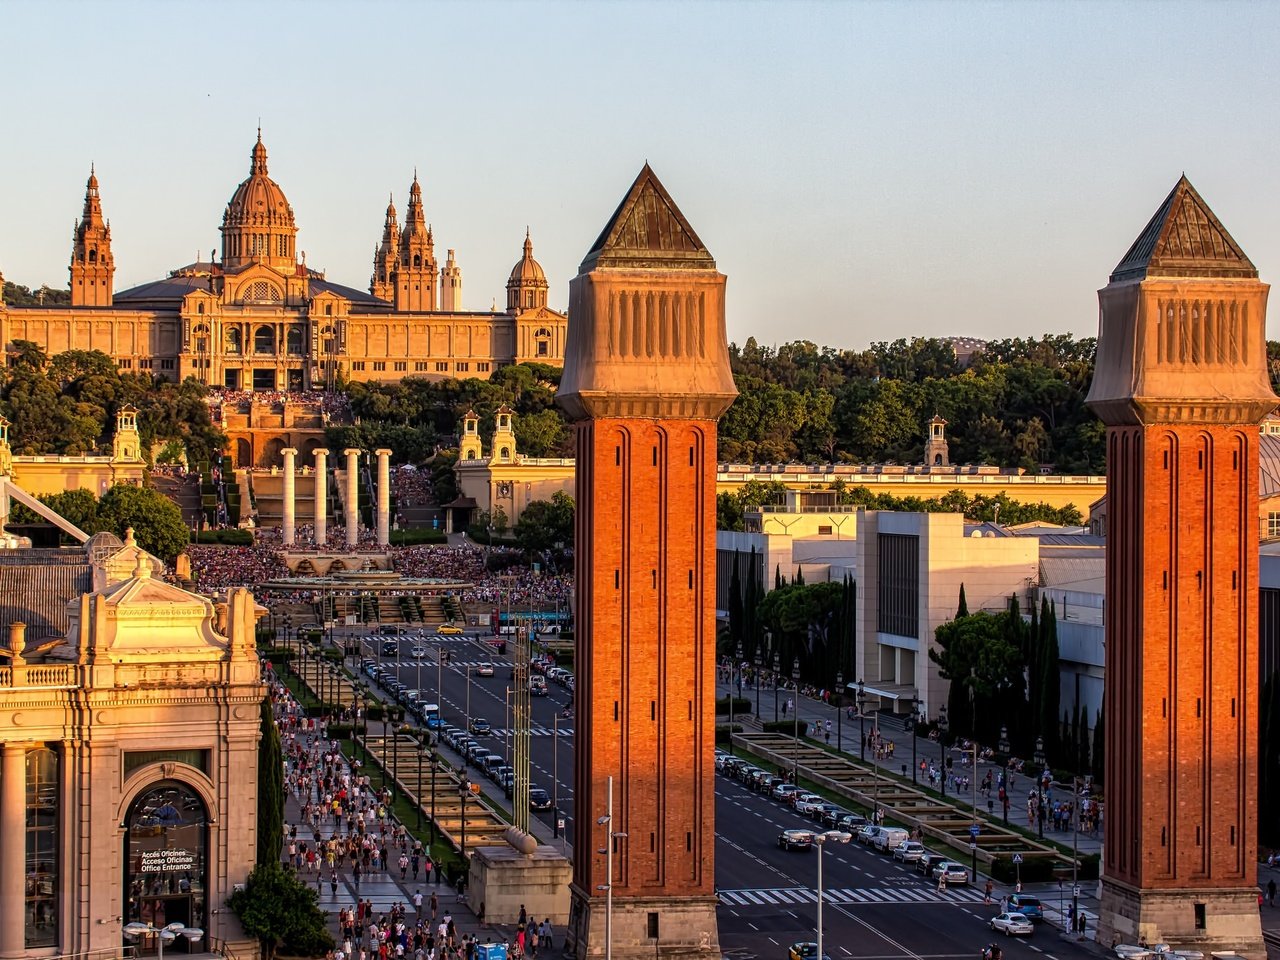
(1185,239)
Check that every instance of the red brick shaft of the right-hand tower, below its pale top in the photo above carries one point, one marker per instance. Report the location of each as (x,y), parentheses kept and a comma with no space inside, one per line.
(1182,680)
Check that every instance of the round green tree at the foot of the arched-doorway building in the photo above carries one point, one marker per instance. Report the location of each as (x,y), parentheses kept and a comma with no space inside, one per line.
(282,912)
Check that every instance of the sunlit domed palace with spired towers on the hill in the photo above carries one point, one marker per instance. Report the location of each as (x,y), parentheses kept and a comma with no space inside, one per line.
(260,319)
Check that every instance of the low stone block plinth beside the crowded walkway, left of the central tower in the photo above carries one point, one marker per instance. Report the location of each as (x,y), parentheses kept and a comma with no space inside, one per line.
(505,880)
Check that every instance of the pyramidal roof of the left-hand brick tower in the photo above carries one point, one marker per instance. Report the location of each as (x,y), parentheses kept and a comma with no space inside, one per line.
(648,231)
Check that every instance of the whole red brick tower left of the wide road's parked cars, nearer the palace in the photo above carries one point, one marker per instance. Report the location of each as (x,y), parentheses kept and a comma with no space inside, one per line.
(647,377)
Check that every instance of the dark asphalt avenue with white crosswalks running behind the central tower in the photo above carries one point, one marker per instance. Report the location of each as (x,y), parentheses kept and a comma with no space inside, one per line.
(875,909)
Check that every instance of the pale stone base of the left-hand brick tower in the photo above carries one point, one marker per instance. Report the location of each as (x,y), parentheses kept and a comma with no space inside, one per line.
(687,929)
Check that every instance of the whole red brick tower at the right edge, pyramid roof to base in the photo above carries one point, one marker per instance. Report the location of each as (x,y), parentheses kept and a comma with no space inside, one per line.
(1182,385)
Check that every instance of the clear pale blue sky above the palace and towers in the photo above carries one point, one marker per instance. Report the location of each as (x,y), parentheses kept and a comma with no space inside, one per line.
(861,171)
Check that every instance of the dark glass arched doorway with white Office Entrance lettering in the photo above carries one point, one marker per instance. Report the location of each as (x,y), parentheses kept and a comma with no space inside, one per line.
(166,863)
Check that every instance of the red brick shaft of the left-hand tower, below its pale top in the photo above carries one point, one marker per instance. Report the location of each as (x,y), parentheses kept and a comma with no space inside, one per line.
(646,653)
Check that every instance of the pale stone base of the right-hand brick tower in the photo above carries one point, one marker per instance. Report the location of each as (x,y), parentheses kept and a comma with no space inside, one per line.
(1231,918)
